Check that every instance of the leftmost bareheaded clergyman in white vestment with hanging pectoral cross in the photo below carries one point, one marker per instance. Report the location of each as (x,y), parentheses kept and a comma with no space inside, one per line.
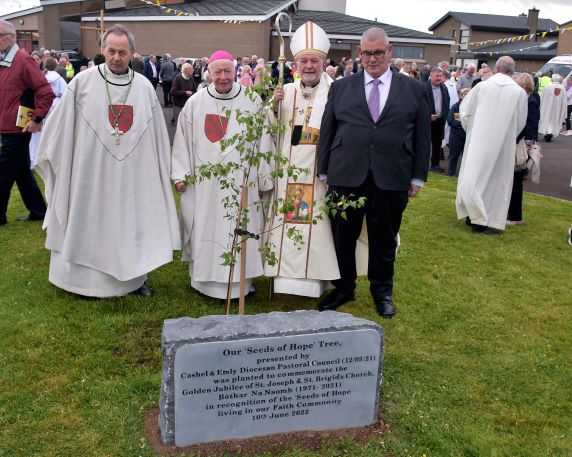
(105,159)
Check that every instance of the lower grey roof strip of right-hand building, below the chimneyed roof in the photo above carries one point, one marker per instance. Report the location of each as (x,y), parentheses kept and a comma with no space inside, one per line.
(521,50)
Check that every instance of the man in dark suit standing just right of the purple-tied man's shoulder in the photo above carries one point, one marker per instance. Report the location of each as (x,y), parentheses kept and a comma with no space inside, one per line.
(439,101)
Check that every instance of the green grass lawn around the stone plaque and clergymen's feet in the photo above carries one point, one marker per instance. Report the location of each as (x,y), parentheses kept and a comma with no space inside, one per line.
(477,360)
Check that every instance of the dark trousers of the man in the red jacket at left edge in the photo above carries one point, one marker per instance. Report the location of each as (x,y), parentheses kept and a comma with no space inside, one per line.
(15,167)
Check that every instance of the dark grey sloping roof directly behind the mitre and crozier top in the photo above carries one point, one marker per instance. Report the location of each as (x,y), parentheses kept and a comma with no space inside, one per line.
(335,23)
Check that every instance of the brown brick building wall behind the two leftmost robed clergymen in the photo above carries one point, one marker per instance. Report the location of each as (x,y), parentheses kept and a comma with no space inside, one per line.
(192,38)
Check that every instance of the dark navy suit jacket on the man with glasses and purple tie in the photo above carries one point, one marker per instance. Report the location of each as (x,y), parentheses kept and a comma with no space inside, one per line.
(396,148)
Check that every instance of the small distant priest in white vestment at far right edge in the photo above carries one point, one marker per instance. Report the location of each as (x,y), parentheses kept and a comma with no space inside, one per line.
(553,108)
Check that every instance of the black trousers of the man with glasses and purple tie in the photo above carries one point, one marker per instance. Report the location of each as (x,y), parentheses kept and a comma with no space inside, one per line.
(383,210)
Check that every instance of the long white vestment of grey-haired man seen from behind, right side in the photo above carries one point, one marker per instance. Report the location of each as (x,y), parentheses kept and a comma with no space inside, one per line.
(493,113)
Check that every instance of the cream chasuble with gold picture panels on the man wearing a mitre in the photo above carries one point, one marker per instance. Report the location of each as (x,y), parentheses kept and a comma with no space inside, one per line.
(306,268)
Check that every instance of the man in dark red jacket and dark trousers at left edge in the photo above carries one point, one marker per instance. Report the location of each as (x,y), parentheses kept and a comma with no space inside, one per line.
(21,84)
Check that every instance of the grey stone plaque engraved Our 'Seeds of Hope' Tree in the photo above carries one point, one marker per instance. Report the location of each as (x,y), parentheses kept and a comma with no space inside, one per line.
(230,377)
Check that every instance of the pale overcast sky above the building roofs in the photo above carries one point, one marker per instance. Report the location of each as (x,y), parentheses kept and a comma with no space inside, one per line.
(427,12)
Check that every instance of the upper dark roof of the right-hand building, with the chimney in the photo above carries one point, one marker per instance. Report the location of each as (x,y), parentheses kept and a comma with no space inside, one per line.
(495,22)
